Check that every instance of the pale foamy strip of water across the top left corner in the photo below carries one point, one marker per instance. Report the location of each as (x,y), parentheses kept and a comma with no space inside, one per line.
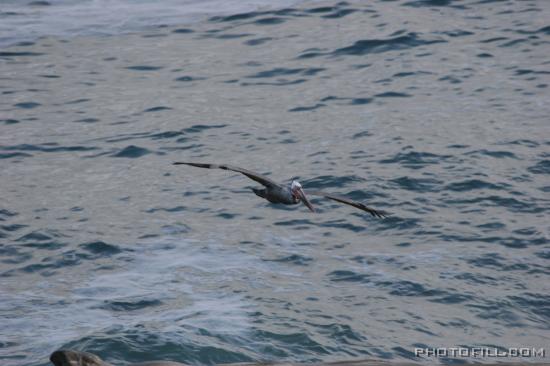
(24,21)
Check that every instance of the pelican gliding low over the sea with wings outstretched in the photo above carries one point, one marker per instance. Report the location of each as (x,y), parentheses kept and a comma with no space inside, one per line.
(288,195)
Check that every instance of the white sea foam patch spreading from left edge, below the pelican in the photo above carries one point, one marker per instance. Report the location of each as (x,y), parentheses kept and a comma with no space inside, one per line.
(187,282)
